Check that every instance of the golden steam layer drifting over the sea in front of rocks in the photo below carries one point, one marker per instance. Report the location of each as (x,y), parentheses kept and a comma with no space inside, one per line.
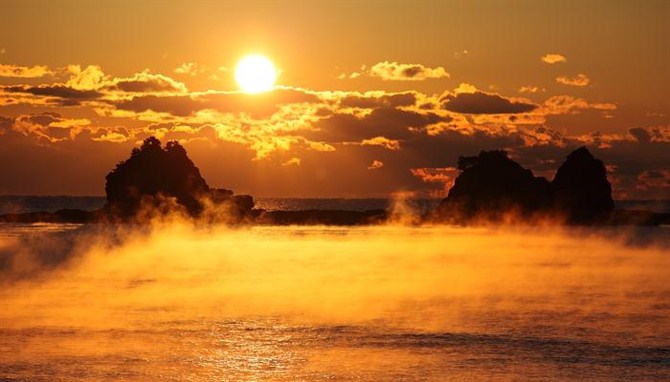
(315,273)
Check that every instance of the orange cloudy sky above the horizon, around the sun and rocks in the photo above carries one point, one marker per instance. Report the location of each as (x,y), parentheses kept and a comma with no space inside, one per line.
(372,98)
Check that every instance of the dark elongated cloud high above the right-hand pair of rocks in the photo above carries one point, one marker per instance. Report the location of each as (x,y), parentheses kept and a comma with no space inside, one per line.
(484,103)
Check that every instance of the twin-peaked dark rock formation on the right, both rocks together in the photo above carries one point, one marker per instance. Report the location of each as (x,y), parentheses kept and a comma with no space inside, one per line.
(491,186)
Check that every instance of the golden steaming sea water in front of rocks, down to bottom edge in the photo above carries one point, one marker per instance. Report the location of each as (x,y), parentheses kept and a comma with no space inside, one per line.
(180,303)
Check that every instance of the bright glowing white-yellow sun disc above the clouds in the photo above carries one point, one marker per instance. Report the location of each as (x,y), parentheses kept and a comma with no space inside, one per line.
(255,74)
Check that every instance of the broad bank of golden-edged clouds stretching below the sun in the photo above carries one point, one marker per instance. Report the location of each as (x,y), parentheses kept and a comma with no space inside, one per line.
(327,141)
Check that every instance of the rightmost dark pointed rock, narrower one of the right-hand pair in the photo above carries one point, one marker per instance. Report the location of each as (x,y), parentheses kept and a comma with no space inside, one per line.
(581,189)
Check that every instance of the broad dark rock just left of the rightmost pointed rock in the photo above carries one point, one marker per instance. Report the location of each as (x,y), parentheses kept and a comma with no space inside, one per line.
(492,185)
